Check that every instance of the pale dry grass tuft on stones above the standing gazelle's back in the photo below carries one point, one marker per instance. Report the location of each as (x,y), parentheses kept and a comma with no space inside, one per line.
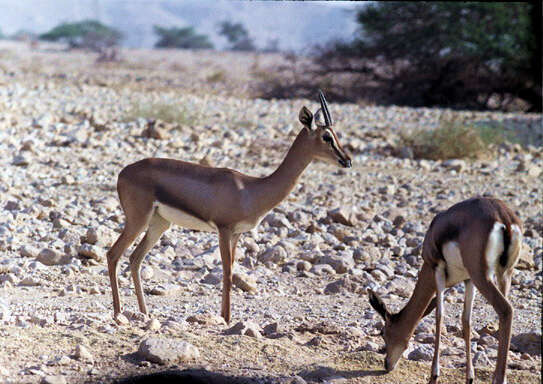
(167,112)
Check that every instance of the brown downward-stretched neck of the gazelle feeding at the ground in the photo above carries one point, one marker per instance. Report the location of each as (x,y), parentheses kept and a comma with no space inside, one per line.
(409,317)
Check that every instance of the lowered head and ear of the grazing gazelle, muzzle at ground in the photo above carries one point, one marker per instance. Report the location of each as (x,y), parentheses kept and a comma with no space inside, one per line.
(396,339)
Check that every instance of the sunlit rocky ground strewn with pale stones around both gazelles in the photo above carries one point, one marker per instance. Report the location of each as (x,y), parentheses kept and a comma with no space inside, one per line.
(300,310)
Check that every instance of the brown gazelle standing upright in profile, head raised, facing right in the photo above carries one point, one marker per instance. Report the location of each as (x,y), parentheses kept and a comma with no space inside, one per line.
(156,192)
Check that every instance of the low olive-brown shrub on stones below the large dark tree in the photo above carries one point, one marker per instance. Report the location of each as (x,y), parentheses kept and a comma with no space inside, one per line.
(453,140)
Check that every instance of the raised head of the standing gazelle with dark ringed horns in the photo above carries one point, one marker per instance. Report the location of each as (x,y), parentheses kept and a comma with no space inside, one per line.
(324,141)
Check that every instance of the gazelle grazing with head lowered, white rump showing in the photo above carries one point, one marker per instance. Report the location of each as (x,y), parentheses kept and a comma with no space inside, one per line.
(475,241)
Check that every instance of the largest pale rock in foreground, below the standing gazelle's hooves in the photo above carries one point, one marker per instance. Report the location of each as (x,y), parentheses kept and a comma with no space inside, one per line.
(167,351)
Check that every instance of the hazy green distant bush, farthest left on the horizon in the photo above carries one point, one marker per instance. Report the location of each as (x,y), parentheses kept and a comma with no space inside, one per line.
(87,34)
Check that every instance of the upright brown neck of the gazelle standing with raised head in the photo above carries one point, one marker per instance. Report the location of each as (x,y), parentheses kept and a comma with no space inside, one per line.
(275,187)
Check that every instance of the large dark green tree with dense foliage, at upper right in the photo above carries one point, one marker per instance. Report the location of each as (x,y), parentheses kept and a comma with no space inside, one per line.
(457,54)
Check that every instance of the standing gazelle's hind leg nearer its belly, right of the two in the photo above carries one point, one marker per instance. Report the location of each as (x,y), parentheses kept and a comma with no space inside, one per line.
(157,226)
